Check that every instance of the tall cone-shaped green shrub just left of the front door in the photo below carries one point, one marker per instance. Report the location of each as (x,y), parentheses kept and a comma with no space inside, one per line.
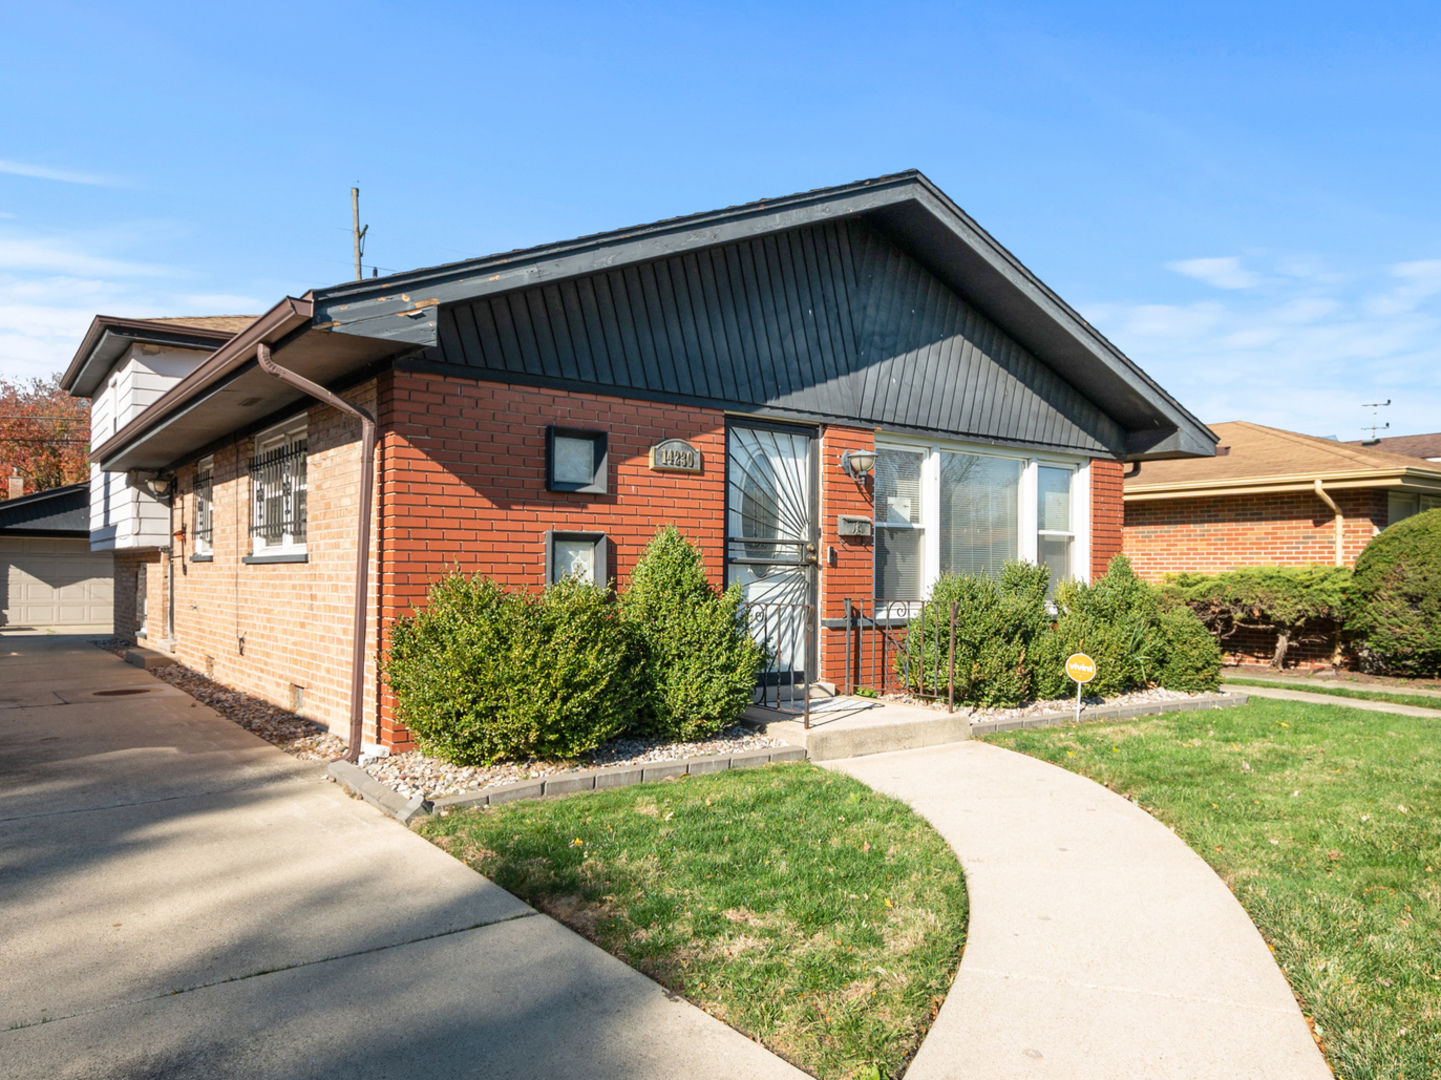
(701,661)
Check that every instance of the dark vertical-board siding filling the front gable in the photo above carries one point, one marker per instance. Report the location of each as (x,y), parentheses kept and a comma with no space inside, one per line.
(831,319)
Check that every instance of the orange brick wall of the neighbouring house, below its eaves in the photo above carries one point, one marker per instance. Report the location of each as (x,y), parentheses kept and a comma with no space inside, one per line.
(1285,530)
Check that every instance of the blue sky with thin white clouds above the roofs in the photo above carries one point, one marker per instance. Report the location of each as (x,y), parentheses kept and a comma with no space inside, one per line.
(1241,197)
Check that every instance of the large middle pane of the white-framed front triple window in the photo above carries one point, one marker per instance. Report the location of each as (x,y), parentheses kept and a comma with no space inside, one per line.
(981,503)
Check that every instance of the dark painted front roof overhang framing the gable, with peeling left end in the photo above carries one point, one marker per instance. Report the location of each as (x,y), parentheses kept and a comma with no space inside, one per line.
(909,207)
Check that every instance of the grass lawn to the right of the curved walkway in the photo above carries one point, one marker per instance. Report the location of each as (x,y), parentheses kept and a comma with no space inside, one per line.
(1324,821)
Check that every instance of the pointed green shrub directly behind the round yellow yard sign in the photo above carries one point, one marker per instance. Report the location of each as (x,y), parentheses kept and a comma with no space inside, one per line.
(1116,622)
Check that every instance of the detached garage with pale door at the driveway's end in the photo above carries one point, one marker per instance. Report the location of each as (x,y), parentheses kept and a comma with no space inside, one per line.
(50,579)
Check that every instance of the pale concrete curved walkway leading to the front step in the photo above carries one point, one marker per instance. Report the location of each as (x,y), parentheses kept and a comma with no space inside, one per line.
(1100,945)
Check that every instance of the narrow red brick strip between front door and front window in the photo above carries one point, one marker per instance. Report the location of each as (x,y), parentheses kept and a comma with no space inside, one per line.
(852,575)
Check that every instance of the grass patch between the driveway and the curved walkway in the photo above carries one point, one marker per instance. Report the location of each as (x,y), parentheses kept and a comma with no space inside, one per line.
(796,905)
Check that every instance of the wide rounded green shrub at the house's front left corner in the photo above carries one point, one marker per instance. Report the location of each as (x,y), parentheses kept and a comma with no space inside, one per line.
(481,674)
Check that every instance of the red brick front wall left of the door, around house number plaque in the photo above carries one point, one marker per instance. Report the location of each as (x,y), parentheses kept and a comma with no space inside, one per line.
(465,487)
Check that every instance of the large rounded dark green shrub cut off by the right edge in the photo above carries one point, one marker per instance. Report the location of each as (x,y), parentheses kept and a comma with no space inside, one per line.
(1394,611)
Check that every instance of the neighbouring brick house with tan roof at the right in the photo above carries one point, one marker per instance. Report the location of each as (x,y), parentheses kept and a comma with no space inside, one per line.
(1270,498)
